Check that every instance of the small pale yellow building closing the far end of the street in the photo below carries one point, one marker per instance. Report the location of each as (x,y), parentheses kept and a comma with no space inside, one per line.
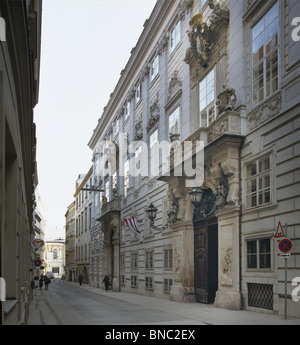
(55,257)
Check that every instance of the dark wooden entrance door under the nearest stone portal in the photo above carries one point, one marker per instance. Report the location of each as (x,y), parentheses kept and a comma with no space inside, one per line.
(206,260)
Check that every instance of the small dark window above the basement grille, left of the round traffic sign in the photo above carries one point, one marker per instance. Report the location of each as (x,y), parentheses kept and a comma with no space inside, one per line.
(259,254)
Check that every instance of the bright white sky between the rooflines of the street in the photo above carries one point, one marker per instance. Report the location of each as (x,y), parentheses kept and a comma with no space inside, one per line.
(85,45)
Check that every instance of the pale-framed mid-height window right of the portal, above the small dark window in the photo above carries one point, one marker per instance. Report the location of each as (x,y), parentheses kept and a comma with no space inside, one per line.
(258,182)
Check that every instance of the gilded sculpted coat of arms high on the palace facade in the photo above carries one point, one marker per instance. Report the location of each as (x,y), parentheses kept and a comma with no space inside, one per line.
(201,42)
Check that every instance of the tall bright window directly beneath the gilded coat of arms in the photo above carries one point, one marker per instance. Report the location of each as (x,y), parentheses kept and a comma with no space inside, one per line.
(207,99)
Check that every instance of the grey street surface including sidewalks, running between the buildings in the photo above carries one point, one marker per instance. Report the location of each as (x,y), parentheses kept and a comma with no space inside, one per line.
(67,303)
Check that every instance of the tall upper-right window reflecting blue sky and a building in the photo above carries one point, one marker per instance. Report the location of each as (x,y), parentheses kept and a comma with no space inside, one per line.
(265,56)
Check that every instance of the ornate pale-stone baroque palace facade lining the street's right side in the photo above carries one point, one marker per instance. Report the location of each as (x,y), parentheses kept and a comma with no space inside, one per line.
(223,76)
